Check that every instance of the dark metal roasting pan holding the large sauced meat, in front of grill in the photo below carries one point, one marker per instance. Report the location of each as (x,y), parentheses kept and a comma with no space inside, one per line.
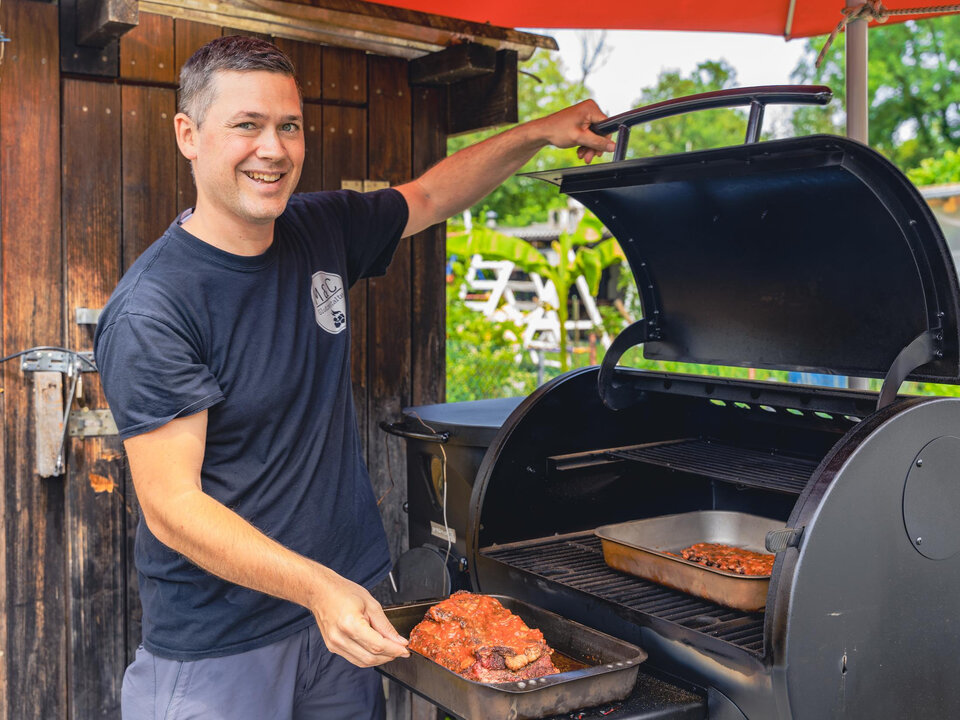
(610,675)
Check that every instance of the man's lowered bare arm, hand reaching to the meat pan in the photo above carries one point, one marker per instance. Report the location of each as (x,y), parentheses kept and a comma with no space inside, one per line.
(165,465)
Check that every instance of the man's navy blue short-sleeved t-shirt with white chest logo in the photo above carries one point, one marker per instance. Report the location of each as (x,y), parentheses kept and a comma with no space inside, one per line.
(263,344)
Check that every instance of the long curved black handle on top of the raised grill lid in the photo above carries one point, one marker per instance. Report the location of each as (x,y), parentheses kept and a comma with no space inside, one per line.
(756,97)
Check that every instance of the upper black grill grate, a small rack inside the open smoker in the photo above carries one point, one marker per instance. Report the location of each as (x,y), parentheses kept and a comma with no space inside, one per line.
(743,466)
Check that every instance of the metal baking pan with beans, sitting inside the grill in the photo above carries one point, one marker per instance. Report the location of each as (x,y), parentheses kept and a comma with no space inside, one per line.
(640,548)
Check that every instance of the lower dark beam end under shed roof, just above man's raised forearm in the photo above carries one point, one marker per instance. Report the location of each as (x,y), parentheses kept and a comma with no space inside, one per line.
(486,101)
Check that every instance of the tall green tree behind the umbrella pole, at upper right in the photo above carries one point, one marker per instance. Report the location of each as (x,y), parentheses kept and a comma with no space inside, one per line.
(912,84)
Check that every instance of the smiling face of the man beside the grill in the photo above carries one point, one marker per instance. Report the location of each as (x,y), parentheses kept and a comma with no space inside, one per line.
(248,152)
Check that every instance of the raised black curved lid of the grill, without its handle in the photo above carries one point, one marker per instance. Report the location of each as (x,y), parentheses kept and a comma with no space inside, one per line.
(813,254)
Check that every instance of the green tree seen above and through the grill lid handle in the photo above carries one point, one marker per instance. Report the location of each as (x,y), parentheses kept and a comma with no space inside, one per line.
(693,131)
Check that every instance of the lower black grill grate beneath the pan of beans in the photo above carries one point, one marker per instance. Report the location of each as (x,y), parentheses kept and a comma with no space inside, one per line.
(577,562)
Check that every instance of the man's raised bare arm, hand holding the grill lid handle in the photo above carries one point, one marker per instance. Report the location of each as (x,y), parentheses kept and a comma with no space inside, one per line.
(464,178)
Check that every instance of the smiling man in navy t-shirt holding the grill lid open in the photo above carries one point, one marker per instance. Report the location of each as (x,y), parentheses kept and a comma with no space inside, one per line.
(224,354)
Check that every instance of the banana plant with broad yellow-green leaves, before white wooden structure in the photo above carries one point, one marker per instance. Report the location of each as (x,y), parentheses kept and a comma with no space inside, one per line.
(574,258)
